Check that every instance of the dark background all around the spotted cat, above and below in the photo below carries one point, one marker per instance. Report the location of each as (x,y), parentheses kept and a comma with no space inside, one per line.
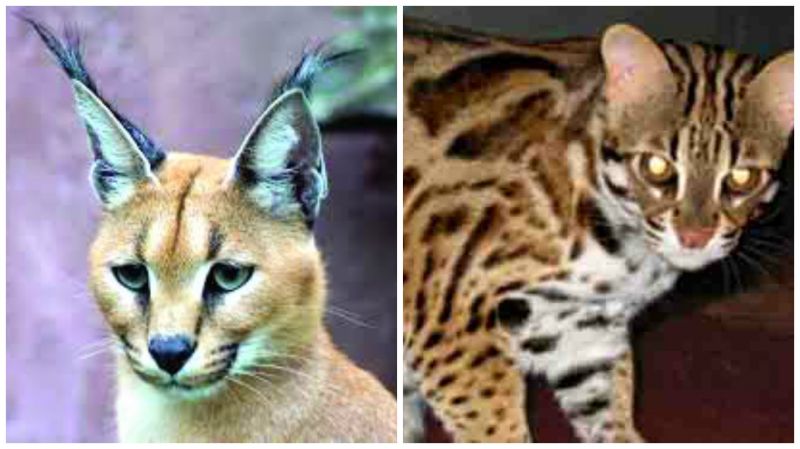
(715,357)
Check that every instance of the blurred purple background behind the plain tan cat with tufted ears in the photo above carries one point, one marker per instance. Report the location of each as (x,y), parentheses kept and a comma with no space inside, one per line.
(194,79)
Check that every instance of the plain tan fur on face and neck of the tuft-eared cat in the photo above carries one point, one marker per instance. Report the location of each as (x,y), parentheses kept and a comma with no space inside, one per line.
(311,393)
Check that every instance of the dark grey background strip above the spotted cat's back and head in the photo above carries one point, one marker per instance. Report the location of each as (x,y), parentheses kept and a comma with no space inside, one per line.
(762,30)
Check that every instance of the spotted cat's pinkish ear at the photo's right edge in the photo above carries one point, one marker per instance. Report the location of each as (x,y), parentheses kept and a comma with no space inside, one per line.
(767,110)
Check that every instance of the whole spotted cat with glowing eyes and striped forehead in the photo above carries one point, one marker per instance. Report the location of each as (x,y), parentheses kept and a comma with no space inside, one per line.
(550,192)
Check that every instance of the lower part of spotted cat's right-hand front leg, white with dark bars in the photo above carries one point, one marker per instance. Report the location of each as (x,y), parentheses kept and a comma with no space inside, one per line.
(598,400)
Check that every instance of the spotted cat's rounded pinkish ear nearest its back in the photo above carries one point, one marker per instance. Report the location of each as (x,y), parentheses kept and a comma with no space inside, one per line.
(637,72)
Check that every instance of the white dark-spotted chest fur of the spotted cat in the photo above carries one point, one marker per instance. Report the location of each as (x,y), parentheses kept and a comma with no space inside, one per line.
(583,319)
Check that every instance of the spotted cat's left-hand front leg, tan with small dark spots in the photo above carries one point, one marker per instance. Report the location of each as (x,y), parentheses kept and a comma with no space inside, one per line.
(483,401)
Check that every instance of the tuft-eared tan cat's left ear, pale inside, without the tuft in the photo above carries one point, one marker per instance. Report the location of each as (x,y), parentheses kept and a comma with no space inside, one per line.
(119,163)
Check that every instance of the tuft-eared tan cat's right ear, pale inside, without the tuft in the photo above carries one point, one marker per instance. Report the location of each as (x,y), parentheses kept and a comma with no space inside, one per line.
(280,163)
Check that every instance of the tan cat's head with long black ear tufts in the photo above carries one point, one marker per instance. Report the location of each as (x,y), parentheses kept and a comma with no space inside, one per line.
(205,268)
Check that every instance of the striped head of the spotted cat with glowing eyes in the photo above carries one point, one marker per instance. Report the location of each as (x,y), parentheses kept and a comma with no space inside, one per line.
(693,138)
